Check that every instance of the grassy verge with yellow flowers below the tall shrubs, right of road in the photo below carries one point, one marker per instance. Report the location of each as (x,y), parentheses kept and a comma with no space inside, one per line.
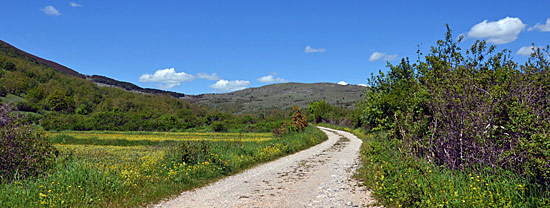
(400,181)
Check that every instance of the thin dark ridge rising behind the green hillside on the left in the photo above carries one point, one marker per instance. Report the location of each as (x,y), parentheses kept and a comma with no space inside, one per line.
(12,51)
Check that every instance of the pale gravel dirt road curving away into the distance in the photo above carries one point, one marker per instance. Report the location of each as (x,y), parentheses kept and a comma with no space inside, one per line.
(317,177)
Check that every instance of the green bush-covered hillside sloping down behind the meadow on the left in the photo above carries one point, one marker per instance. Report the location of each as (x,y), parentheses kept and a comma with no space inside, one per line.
(55,97)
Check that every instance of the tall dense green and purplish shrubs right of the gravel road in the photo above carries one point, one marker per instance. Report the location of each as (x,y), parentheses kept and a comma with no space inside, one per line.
(473,110)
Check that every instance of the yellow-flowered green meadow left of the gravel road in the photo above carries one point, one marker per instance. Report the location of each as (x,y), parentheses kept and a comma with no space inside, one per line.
(129,169)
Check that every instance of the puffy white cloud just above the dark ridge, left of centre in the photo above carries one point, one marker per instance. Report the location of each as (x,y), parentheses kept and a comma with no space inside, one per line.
(169,77)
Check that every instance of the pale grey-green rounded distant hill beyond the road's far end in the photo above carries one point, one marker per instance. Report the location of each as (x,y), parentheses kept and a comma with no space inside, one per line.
(281,96)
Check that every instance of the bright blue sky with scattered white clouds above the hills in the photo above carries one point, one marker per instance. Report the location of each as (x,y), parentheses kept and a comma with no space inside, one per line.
(198,47)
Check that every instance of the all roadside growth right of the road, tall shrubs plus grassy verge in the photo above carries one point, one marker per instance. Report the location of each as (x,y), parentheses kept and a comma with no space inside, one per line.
(456,129)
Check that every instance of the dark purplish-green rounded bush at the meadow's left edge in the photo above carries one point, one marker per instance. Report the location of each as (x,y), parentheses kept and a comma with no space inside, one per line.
(23,152)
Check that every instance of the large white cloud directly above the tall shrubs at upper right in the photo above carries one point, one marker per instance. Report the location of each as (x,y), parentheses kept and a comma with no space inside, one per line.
(499,32)
